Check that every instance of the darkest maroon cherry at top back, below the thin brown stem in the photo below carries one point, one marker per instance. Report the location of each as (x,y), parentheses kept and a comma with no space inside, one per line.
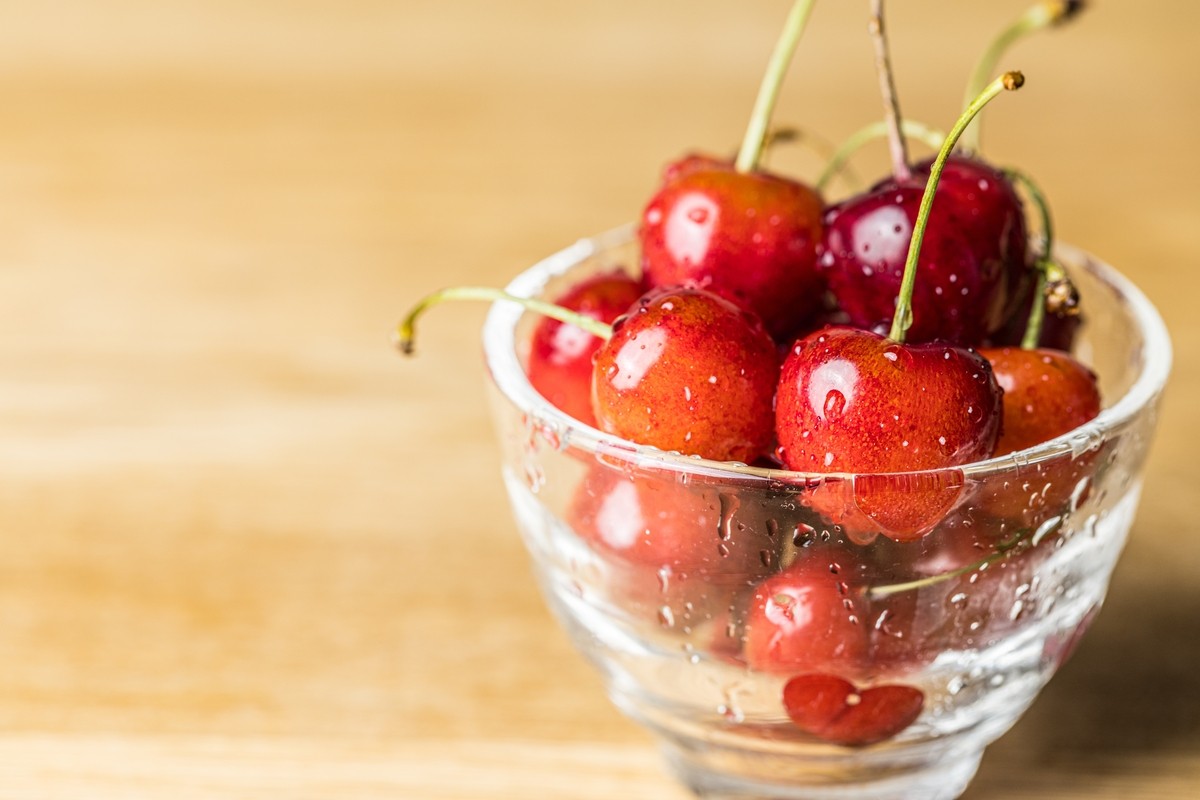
(964,276)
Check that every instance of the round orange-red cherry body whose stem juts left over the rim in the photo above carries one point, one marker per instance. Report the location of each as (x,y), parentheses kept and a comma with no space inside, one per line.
(688,371)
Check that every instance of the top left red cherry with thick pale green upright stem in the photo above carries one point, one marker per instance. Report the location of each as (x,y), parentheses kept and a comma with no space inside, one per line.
(742,233)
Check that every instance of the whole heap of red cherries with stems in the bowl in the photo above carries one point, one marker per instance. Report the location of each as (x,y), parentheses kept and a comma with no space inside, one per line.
(907,329)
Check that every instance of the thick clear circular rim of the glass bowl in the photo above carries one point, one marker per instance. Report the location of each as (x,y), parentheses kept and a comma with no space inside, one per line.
(505,366)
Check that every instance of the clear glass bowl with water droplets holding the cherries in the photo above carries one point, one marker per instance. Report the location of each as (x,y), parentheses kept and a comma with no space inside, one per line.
(703,590)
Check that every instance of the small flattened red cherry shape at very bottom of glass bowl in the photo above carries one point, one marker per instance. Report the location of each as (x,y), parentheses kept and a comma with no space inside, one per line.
(836,711)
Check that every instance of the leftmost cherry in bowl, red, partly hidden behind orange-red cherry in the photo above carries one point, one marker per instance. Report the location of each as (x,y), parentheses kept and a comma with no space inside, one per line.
(561,354)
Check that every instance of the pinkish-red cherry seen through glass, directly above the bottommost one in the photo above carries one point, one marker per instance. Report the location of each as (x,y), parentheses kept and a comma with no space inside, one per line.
(812,617)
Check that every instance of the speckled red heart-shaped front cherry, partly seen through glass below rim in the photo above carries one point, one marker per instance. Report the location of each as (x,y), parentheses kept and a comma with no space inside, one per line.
(851,401)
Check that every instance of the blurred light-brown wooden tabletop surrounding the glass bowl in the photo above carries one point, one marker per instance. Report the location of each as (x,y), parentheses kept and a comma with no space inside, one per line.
(250,554)
